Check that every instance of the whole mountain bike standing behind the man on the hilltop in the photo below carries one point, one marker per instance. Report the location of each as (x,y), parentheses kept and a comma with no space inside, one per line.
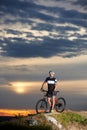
(42,104)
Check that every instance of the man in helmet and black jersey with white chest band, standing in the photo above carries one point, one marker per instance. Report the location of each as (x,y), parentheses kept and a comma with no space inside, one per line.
(51,81)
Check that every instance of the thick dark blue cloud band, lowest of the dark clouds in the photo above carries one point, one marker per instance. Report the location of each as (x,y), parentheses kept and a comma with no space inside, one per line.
(47,48)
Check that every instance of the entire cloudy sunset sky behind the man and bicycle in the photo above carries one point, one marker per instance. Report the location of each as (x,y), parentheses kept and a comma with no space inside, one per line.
(37,36)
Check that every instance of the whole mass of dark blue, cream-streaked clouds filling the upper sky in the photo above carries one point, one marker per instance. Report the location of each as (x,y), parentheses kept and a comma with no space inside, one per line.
(42,28)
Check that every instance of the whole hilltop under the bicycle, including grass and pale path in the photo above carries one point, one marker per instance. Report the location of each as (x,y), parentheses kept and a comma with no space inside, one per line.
(67,120)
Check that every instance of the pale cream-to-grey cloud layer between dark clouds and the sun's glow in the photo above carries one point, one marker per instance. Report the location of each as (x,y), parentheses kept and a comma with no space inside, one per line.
(35,69)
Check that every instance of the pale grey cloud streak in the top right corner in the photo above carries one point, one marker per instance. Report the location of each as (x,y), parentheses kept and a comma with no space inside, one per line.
(77,5)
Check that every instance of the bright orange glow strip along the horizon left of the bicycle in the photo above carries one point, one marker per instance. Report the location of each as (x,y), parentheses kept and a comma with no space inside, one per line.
(13,112)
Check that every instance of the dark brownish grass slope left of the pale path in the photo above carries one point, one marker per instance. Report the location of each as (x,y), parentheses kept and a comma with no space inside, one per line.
(22,123)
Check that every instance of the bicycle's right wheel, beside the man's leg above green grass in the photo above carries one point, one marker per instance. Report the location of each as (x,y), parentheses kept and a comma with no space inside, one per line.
(60,105)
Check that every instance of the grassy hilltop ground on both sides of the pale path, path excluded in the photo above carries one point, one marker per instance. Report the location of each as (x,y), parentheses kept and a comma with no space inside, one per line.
(70,120)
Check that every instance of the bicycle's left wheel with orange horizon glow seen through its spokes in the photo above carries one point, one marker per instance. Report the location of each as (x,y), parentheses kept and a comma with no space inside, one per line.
(41,106)
